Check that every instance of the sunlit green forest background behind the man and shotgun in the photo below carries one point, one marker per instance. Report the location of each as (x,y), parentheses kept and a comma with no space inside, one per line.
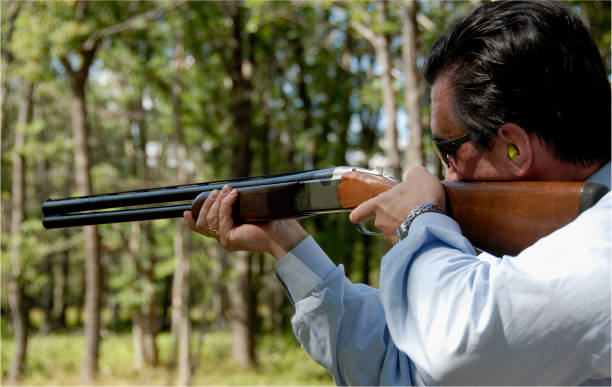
(110,96)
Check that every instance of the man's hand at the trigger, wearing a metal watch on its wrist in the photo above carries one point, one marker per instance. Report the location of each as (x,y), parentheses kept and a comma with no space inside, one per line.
(392,207)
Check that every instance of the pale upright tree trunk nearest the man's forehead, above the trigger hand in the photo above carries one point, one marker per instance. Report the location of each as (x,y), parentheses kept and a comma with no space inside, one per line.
(412,100)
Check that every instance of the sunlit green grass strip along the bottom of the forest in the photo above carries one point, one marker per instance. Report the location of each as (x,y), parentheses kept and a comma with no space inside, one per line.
(55,359)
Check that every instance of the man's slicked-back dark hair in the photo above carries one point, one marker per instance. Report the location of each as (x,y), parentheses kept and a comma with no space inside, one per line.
(533,64)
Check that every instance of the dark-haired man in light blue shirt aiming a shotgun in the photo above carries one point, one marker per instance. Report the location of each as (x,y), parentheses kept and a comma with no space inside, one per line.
(519,92)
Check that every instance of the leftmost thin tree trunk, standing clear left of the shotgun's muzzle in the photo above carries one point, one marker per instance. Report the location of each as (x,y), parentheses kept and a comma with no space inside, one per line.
(15,289)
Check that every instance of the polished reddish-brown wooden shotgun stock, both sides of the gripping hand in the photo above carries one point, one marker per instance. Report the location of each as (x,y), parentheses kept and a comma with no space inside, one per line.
(498,217)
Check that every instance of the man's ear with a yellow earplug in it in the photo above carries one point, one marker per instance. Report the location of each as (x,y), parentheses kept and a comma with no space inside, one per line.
(515,149)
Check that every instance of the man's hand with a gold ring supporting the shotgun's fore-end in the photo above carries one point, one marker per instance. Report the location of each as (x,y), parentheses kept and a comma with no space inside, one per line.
(215,221)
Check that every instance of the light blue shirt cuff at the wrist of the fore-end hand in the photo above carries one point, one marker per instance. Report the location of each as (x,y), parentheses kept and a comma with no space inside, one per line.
(303,268)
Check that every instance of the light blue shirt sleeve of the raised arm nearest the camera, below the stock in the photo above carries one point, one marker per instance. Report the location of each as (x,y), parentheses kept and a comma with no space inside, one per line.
(542,317)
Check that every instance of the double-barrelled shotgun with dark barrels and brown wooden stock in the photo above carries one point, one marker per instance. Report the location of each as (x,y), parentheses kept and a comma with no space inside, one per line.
(497,217)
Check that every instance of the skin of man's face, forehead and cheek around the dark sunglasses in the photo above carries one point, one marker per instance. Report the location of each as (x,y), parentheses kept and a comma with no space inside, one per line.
(467,163)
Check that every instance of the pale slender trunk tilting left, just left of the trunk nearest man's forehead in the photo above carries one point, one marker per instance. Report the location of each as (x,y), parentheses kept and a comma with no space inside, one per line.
(383,56)
